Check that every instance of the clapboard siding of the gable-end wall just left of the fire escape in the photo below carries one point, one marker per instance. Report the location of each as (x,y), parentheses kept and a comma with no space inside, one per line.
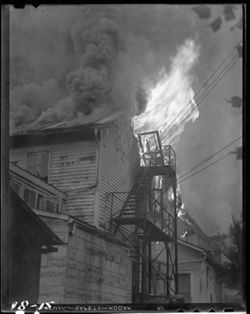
(115,166)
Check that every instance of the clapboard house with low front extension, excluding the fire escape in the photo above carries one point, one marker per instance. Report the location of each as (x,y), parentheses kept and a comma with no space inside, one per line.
(66,175)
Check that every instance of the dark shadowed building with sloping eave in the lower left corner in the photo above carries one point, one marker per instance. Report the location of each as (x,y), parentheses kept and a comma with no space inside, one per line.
(31,239)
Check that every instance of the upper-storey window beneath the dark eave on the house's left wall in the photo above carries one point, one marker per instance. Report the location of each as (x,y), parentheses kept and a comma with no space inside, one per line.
(37,164)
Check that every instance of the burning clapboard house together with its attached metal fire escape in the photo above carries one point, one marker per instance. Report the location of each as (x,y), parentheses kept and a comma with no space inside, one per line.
(113,205)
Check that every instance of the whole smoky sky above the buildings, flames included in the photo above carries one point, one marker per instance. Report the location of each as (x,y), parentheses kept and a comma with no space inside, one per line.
(149,60)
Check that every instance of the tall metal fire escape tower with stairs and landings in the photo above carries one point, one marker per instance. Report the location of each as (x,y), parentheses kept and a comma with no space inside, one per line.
(141,217)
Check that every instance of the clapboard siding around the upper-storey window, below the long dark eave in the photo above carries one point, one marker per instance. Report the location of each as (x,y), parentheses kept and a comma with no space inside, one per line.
(72,169)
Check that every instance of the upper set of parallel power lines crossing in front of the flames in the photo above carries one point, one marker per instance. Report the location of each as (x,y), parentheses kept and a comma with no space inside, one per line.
(205,92)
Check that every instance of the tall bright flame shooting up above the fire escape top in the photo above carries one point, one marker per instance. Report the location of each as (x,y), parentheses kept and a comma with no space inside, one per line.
(171,101)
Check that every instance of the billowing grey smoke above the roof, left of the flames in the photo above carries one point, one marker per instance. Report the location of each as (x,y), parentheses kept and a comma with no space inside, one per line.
(88,60)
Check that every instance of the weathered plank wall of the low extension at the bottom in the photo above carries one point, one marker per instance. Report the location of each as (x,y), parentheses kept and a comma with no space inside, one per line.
(89,268)
